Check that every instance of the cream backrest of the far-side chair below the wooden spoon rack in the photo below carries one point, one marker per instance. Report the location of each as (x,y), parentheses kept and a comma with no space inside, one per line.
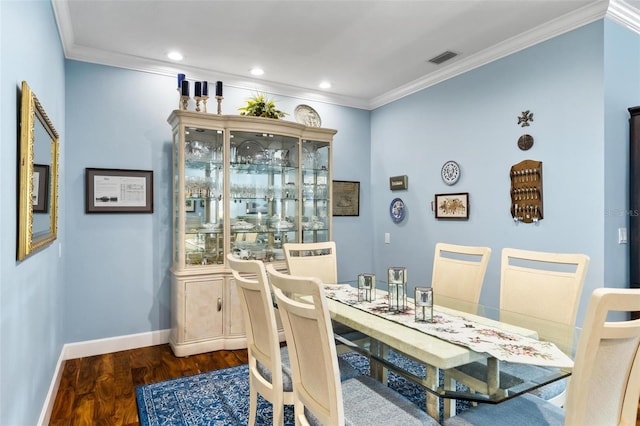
(542,285)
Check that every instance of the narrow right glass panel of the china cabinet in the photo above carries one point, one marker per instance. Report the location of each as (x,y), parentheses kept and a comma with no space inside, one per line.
(315,191)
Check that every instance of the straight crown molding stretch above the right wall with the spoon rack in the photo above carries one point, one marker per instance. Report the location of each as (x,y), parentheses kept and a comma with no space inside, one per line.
(522,41)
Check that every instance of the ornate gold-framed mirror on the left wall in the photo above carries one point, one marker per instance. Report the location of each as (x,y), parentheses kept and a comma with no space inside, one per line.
(38,166)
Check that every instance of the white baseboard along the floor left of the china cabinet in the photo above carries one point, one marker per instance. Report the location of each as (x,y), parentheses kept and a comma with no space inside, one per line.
(96,347)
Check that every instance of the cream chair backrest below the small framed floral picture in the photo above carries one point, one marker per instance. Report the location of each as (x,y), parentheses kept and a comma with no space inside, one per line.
(458,271)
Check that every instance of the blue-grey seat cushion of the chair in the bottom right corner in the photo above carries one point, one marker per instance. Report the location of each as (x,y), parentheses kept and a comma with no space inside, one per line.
(524,410)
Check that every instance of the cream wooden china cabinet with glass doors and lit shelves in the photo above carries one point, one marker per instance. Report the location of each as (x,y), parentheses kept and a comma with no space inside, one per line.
(241,185)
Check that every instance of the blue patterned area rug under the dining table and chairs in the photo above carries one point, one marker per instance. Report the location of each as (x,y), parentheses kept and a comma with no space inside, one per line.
(221,397)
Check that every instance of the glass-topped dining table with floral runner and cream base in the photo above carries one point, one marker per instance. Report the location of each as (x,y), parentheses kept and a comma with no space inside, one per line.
(459,338)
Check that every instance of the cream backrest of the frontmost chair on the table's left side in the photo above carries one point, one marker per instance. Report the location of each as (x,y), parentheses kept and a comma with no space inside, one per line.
(312,350)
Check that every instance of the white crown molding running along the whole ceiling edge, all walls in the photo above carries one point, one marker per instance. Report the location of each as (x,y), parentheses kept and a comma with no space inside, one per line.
(617,10)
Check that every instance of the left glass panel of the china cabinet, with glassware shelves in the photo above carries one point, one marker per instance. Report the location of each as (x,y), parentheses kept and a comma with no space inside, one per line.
(203,189)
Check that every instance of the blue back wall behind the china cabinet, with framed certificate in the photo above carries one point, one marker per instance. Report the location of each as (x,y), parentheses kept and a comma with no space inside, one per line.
(118,268)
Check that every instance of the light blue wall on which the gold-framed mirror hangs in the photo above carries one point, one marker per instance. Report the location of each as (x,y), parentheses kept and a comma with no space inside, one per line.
(32,291)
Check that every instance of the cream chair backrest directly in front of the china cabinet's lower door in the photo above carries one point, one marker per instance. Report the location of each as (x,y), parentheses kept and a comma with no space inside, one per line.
(263,343)
